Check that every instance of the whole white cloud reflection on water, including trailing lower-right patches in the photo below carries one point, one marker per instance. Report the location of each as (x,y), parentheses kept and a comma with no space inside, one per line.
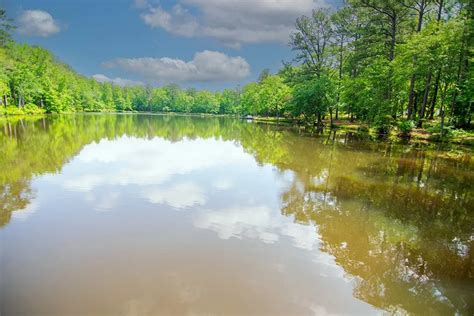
(227,192)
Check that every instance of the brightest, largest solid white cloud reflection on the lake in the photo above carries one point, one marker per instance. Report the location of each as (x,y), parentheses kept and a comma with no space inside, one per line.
(134,161)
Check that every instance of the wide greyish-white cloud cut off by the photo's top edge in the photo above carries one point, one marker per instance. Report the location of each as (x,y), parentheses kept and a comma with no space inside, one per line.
(232,22)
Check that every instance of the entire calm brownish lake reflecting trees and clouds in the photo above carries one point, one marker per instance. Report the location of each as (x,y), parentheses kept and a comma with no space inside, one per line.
(148,214)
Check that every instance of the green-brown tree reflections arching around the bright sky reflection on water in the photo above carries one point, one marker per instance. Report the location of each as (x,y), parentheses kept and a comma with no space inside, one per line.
(398,217)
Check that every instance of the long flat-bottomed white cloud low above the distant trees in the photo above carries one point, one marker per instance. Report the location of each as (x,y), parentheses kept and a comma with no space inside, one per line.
(206,66)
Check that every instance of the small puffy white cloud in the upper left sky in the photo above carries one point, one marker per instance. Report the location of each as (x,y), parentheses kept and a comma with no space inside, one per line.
(37,23)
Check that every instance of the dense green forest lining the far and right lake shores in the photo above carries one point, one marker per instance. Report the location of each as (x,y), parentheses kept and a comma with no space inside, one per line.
(384,62)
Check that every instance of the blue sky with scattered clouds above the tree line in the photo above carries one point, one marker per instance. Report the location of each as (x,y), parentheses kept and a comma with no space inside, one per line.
(200,43)
